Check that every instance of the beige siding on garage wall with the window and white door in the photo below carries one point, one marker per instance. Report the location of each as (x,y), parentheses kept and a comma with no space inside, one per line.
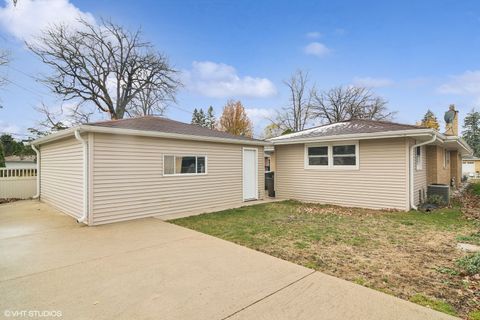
(128,180)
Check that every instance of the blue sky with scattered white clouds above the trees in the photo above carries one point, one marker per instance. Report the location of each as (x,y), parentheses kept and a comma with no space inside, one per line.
(418,55)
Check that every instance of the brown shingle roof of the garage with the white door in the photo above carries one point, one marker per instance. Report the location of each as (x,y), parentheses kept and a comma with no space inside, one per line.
(159,124)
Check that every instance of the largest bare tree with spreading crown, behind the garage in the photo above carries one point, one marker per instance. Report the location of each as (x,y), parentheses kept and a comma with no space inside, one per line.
(105,65)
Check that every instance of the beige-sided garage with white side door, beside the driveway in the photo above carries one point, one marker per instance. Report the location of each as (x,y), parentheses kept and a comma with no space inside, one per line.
(125,169)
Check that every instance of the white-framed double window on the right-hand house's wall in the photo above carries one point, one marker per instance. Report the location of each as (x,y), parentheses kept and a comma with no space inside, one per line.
(338,155)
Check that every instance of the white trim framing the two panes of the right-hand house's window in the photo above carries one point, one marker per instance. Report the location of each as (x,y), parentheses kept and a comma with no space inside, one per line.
(331,165)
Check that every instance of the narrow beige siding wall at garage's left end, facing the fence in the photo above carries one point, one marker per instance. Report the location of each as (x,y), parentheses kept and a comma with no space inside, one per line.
(61,175)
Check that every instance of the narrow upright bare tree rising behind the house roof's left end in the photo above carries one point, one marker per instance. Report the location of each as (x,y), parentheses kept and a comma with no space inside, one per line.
(297,114)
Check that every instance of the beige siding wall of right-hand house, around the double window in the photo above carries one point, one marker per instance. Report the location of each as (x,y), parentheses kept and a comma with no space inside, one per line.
(380,181)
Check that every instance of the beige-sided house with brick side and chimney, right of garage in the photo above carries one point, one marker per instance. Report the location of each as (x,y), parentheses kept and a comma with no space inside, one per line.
(365,163)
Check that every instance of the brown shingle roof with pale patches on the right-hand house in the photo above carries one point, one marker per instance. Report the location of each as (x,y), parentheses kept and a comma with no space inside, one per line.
(347,127)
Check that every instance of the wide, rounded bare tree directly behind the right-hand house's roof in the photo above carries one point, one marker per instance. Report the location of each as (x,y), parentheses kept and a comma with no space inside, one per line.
(349,103)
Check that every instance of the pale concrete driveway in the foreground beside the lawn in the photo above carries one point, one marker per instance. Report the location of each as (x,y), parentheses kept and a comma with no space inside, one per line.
(150,269)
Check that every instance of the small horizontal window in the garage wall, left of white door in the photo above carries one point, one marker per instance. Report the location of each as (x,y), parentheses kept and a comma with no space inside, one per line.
(178,165)
